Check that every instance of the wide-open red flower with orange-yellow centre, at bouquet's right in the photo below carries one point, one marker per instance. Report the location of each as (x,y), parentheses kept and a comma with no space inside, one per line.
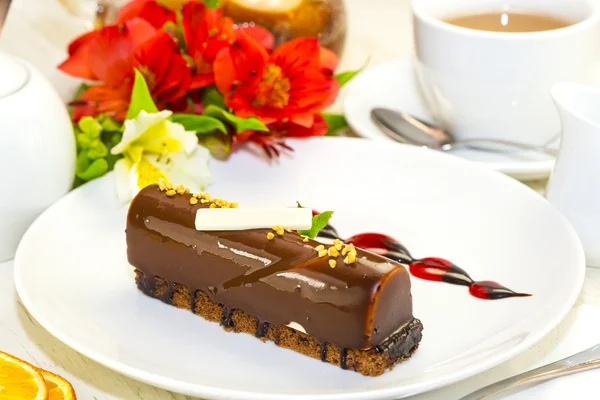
(289,86)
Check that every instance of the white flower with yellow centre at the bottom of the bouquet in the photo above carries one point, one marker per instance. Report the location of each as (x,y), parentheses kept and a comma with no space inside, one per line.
(155,147)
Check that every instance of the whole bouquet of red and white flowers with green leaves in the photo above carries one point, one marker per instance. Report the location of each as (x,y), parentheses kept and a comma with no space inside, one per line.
(172,81)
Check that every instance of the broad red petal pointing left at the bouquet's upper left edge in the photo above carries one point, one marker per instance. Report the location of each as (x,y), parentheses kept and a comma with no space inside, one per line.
(91,55)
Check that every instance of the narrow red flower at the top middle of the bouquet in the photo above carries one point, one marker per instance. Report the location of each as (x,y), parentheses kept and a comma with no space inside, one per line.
(206,33)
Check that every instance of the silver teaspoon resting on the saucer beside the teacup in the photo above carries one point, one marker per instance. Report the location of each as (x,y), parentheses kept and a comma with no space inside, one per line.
(405,128)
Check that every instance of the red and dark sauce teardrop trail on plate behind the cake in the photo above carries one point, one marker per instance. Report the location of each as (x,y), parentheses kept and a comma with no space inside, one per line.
(430,268)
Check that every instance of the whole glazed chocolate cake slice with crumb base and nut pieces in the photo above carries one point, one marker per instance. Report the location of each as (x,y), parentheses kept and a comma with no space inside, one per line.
(342,305)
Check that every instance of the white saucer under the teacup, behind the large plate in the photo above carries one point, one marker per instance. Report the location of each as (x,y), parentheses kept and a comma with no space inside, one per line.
(393,85)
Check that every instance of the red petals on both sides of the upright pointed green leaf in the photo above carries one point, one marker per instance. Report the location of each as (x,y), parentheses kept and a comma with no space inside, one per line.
(165,70)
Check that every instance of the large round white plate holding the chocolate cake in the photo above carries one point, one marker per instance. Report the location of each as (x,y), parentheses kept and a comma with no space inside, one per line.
(72,274)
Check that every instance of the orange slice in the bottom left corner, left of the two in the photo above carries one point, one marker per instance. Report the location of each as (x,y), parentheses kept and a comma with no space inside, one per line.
(20,380)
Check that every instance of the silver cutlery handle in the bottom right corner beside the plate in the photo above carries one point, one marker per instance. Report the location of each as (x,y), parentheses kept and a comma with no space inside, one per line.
(586,360)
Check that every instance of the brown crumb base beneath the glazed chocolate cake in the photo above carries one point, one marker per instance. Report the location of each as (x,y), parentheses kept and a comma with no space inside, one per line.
(368,362)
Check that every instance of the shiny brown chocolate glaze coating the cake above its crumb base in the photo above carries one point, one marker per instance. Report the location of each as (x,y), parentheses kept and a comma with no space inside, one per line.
(279,281)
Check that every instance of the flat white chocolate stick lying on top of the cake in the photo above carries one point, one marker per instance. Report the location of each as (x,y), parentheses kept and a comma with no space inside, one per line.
(237,219)
